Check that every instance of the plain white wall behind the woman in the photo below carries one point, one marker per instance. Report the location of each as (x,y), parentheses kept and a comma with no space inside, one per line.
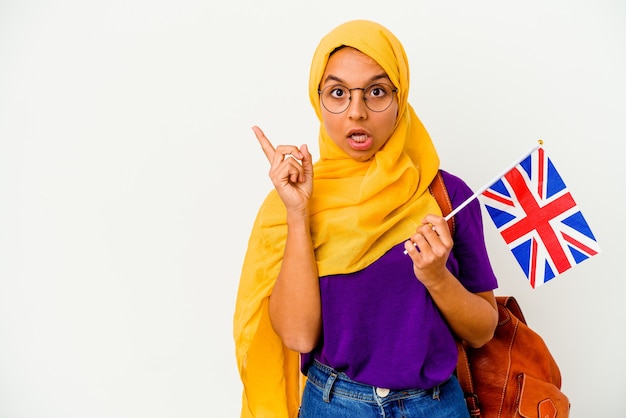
(129,179)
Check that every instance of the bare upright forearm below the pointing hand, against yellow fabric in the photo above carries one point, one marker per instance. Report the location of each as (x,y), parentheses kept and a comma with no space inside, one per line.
(294,305)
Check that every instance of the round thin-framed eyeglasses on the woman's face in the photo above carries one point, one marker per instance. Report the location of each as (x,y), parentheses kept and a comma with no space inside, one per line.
(377,97)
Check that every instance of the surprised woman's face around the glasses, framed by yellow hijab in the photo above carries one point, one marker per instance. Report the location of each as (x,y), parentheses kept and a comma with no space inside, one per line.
(358,131)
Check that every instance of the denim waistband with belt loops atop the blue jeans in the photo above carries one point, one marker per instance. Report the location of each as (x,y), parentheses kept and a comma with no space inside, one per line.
(332,382)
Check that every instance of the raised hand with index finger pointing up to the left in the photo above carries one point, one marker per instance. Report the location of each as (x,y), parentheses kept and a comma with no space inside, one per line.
(291,172)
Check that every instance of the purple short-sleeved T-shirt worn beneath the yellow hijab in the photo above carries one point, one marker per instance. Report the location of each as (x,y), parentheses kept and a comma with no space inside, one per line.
(380,325)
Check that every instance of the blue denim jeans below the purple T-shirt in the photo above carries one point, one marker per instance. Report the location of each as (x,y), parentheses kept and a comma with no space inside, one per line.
(333,395)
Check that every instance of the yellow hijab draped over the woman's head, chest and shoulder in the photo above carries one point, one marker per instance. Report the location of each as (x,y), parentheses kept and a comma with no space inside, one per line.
(359,210)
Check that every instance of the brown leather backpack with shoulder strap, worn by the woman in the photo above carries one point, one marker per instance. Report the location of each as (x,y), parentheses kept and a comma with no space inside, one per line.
(513,375)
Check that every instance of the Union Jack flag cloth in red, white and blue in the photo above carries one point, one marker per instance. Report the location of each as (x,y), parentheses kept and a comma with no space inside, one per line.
(539,220)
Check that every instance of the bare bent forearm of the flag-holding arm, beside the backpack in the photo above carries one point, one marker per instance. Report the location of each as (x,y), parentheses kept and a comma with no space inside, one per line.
(471,316)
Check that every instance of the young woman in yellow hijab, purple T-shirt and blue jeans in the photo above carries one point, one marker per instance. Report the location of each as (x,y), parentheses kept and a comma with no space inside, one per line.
(352,276)
